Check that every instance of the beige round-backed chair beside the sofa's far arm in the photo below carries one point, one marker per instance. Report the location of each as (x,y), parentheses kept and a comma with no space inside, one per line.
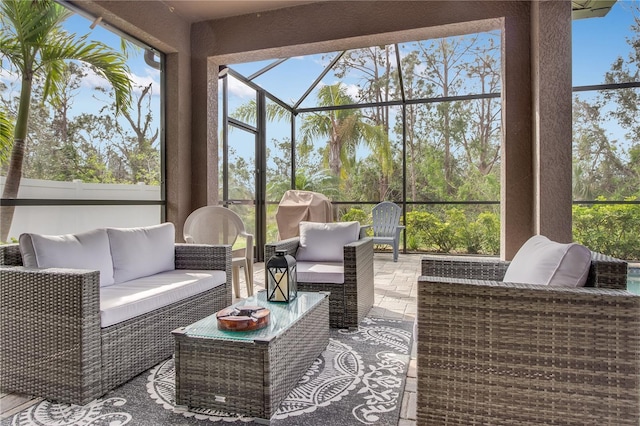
(219,225)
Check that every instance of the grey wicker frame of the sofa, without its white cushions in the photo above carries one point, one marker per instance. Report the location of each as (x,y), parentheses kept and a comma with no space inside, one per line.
(52,344)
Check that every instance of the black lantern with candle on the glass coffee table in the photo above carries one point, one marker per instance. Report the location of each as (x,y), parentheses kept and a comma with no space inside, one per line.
(282,284)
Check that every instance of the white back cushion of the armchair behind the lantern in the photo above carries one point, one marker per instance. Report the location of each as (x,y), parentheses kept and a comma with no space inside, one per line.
(324,242)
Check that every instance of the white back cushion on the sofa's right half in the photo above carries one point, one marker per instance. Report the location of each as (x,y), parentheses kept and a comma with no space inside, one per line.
(140,252)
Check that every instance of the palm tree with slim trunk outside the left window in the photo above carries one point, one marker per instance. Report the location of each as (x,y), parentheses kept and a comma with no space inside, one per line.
(33,41)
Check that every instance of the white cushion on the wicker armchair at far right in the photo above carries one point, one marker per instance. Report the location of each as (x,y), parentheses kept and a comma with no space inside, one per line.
(542,261)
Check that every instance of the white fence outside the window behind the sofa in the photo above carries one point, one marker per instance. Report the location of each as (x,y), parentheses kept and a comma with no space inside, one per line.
(71,219)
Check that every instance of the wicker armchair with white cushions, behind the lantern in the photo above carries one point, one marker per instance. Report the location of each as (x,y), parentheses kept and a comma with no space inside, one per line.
(350,281)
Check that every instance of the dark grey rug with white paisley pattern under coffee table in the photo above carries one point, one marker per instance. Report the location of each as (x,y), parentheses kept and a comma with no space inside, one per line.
(358,380)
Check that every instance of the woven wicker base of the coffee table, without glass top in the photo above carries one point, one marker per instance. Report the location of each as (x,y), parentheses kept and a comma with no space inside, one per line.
(249,378)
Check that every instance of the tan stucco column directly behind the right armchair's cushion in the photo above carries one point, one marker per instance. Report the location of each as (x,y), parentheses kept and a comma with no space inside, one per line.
(552,129)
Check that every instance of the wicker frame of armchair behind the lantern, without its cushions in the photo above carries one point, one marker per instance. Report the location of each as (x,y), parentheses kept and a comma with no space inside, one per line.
(350,302)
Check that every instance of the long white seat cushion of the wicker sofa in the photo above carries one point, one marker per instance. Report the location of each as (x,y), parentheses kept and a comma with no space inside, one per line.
(123,301)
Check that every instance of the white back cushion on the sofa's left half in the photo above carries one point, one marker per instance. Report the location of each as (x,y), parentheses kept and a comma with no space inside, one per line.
(87,250)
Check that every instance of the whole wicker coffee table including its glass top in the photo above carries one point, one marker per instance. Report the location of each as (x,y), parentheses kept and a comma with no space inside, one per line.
(251,372)
